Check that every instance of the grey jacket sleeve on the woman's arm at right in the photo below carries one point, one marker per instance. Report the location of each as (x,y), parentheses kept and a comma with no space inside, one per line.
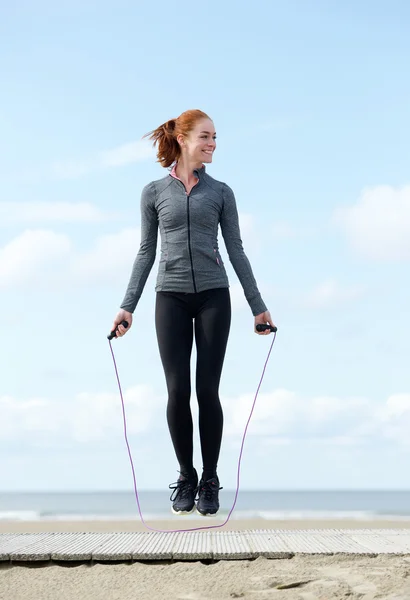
(231,233)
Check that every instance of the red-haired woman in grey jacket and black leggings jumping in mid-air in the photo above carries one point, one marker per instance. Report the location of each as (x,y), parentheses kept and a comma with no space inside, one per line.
(192,293)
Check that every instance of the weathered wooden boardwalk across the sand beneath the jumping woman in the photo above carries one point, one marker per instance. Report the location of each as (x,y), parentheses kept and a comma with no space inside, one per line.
(221,545)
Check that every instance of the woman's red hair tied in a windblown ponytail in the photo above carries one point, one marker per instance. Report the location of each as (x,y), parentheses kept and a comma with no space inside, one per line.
(166,134)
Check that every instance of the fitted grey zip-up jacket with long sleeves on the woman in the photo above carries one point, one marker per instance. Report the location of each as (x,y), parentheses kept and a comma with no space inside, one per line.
(190,261)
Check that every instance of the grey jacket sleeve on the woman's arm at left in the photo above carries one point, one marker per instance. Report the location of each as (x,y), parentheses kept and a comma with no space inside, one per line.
(146,254)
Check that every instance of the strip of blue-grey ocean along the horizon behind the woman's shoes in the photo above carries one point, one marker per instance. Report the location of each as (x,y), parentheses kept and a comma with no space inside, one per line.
(155,505)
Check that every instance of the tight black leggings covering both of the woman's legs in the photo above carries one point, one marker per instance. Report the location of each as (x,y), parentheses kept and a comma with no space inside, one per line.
(174,315)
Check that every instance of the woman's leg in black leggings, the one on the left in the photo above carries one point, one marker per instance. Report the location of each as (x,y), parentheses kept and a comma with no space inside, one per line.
(174,329)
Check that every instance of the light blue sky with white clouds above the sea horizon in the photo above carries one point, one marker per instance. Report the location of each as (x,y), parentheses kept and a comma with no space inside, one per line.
(310,102)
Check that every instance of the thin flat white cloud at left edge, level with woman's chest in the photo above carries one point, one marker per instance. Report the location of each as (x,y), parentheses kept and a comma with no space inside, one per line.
(46,212)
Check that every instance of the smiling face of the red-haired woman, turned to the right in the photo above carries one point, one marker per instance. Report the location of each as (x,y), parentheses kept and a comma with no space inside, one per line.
(199,145)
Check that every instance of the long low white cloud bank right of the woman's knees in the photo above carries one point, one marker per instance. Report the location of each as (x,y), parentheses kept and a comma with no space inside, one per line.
(282,416)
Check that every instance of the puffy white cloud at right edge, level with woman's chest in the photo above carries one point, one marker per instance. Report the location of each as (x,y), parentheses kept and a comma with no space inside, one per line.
(378,226)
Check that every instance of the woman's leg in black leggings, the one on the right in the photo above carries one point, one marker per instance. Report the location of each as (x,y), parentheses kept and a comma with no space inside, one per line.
(212,325)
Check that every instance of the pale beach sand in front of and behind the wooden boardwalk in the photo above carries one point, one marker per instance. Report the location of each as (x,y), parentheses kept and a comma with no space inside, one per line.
(303,577)
